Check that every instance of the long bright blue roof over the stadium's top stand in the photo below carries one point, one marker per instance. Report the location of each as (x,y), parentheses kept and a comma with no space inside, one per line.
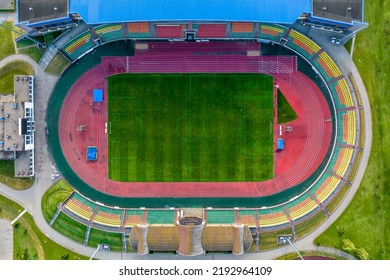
(273,11)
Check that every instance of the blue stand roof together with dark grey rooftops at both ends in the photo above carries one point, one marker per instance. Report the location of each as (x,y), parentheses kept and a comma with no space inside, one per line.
(343,17)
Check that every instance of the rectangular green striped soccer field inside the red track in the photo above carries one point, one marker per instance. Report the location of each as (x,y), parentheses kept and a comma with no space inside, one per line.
(190,127)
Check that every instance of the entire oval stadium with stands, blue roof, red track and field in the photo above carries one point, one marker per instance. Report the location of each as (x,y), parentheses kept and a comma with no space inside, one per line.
(166,121)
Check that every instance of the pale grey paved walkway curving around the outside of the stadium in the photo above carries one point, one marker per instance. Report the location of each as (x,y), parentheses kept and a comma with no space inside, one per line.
(31,198)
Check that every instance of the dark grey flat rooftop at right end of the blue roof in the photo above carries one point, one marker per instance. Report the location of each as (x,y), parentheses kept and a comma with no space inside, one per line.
(340,10)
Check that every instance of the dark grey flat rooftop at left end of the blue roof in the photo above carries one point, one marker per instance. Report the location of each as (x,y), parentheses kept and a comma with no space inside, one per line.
(42,10)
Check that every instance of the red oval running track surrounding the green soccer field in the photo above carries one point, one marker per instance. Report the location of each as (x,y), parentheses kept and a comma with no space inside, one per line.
(306,145)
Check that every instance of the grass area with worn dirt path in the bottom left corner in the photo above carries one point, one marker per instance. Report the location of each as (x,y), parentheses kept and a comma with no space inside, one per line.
(29,242)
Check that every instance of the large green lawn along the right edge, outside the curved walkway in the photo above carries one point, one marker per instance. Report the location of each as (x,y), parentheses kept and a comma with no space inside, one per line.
(366,221)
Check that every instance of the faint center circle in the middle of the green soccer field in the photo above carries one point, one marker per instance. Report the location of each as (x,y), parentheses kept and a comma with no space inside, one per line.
(190,127)
